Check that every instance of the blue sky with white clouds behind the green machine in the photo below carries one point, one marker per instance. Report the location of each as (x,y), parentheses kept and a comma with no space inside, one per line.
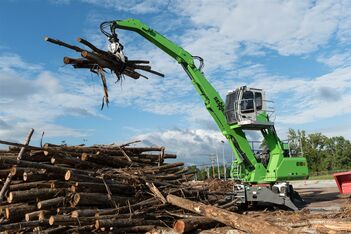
(298,51)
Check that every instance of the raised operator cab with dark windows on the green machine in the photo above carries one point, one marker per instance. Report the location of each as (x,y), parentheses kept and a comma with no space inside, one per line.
(247,107)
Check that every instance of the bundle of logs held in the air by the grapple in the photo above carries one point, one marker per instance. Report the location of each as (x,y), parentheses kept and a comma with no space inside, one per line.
(97,61)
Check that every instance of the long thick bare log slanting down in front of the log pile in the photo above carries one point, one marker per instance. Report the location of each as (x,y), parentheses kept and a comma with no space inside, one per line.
(234,220)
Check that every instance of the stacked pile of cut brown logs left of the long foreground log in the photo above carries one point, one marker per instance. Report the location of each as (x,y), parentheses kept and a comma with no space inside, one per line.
(58,188)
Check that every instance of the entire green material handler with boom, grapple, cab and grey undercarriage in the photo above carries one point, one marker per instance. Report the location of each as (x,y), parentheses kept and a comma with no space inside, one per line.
(245,109)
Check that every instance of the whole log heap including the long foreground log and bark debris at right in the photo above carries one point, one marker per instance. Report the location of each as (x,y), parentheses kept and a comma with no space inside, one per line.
(125,189)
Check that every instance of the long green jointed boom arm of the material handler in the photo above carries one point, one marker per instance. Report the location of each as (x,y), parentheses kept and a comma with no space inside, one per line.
(212,100)
